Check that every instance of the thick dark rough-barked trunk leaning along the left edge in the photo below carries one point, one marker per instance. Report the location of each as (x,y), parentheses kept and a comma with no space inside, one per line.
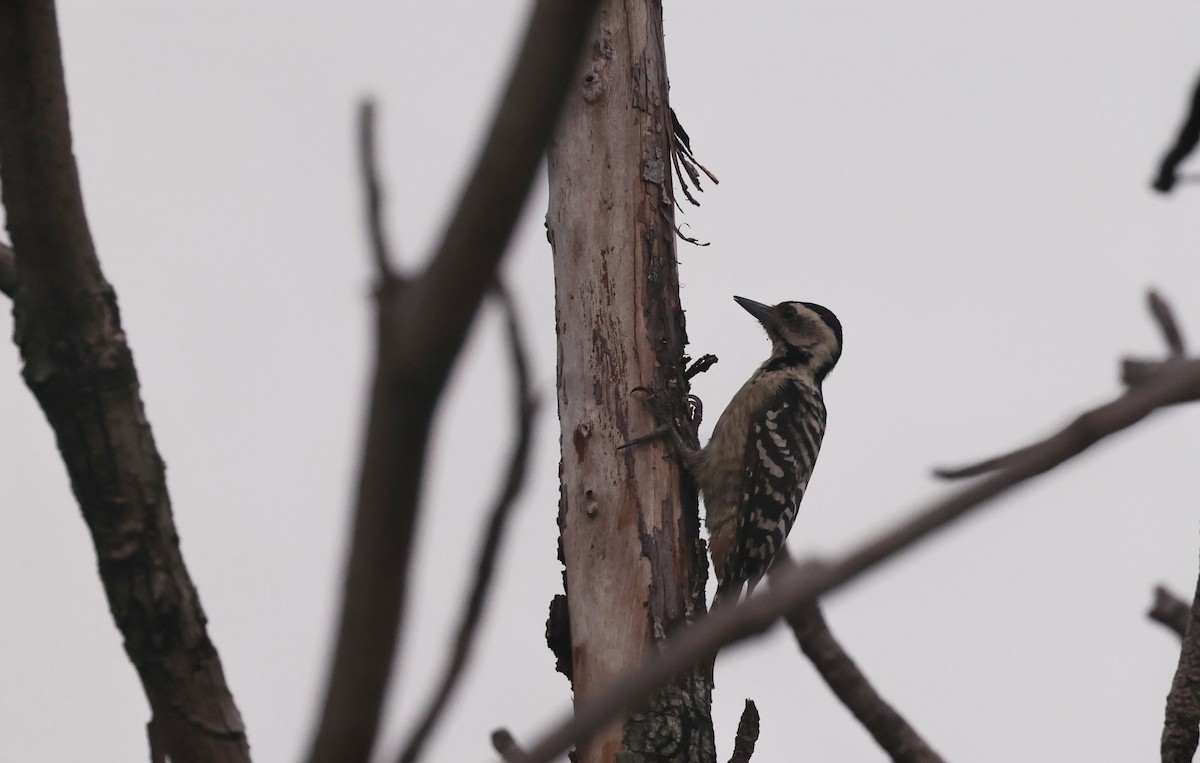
(80,367)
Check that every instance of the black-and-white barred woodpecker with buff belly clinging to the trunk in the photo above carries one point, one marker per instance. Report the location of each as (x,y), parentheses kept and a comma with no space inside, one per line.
(755,468)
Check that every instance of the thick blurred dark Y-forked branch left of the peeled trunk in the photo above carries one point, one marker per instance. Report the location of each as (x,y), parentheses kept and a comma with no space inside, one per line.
(422,326)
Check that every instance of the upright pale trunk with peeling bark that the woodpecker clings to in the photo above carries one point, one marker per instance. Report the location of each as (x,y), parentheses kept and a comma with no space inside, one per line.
(631,531)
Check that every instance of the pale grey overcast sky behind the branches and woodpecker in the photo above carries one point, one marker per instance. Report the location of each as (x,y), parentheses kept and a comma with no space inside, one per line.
(964,183)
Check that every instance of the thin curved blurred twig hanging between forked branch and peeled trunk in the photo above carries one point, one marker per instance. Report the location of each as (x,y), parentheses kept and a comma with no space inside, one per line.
(525,407)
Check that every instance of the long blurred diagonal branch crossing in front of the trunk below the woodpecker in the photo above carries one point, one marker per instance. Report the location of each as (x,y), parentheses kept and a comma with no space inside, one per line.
(797,587)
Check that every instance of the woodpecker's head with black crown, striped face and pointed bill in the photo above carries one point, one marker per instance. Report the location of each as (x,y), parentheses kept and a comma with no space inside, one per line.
(802,335)
